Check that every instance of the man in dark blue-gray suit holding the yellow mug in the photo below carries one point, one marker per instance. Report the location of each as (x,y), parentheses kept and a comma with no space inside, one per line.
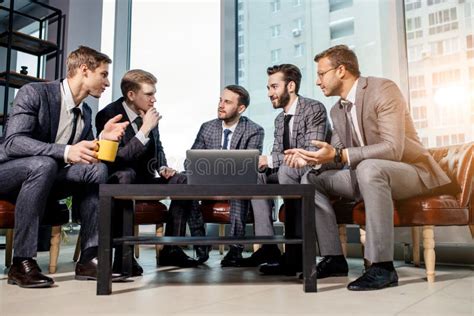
(49,150)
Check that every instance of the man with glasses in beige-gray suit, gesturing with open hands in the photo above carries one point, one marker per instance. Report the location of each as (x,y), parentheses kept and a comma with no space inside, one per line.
(379,156)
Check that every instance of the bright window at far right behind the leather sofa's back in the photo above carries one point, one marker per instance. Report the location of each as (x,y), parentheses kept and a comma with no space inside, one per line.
(445,92)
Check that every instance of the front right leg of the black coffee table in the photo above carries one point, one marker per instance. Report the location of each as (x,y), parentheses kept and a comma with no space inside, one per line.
(309,245)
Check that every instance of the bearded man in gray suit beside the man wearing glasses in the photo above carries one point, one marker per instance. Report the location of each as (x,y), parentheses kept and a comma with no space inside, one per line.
(301,120)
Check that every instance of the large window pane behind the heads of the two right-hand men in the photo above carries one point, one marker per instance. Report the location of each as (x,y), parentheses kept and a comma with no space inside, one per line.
(322,28)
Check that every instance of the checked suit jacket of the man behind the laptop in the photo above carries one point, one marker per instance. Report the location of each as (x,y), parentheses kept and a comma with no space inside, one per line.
(247,135)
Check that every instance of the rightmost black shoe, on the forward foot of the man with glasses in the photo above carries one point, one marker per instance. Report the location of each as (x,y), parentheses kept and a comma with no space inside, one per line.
(374,278)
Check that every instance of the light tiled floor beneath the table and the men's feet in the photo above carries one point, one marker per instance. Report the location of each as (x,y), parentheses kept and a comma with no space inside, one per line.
(211,289)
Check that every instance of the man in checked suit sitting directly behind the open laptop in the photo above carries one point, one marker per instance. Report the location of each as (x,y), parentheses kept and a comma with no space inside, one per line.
(230,130)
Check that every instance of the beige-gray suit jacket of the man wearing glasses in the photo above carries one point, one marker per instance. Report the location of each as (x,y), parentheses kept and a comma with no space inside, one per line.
(387,130)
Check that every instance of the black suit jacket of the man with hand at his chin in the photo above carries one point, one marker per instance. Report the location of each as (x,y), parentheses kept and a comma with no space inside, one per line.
(132,153)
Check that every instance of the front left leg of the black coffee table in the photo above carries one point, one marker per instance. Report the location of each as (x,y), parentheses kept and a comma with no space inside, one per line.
(104,273)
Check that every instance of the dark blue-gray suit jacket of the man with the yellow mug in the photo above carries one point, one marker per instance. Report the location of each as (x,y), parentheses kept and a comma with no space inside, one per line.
(33,124)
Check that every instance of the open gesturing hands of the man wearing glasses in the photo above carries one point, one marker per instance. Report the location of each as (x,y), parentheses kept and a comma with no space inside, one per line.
(298,158)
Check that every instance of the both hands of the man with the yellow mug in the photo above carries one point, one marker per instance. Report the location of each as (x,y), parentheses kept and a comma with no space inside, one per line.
(86,151)
